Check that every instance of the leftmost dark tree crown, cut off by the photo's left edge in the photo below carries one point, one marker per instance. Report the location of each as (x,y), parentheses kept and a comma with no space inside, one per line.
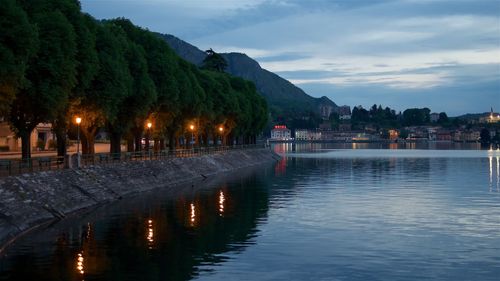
(18,43)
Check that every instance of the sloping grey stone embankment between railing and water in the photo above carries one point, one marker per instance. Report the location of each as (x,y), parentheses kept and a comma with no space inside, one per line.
(30,200)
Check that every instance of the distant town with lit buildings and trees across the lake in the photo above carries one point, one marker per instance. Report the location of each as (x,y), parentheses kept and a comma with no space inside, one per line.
(383,125)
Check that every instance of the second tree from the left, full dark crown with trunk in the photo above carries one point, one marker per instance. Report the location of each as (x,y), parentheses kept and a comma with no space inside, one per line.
(52,74)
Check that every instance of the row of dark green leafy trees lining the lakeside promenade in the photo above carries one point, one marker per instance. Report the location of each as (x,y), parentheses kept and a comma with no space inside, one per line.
(57,63)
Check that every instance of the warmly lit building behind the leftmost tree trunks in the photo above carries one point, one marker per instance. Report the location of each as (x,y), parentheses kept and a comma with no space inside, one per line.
(40,137)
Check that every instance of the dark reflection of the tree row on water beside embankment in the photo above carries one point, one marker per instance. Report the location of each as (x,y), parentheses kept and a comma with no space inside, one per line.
(149,241)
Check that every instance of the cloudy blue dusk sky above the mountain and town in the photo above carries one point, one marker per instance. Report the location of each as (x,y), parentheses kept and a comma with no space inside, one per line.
(441,54)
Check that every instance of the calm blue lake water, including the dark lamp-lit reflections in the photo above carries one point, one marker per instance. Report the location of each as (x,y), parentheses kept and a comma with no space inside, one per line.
(324,212)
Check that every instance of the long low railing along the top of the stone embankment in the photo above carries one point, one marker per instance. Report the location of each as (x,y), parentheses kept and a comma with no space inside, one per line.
(19,166)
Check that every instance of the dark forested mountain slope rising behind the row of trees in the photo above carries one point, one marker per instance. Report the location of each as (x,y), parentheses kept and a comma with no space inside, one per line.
(282,96)
